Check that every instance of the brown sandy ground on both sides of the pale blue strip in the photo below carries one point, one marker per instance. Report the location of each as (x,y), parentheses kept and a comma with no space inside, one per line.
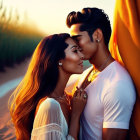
(6,130)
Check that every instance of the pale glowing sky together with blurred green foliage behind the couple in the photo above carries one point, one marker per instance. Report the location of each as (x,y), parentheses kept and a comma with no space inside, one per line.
(23,23)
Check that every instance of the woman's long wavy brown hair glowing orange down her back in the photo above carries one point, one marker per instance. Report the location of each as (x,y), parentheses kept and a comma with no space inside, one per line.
(39,81)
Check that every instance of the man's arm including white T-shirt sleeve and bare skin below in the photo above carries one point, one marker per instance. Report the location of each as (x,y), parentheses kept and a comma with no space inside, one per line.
(118,105)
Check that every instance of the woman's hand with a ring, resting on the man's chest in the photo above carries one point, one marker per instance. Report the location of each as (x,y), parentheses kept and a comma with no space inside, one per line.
(78,102)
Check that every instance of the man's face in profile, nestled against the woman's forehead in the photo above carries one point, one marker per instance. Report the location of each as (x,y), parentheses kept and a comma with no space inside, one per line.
(89,48)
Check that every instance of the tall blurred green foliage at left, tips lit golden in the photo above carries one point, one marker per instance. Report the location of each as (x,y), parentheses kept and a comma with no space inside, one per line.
(17,41)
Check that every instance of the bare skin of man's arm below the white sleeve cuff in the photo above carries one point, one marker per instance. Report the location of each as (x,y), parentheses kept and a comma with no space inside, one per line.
(114,134)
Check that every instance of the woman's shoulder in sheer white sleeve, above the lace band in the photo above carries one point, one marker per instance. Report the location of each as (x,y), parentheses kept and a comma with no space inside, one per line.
(49,113)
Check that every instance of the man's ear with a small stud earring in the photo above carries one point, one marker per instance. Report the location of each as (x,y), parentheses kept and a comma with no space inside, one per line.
(97,35)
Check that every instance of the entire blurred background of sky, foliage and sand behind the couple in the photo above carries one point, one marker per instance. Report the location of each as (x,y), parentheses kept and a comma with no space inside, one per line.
(23,23)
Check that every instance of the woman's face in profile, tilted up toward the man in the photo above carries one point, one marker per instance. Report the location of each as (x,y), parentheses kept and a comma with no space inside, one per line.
(73,61)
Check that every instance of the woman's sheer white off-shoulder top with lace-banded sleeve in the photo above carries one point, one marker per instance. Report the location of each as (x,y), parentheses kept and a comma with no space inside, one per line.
(50,123)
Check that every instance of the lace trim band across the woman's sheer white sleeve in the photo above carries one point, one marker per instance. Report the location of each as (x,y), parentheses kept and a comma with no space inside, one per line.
(46,129)
